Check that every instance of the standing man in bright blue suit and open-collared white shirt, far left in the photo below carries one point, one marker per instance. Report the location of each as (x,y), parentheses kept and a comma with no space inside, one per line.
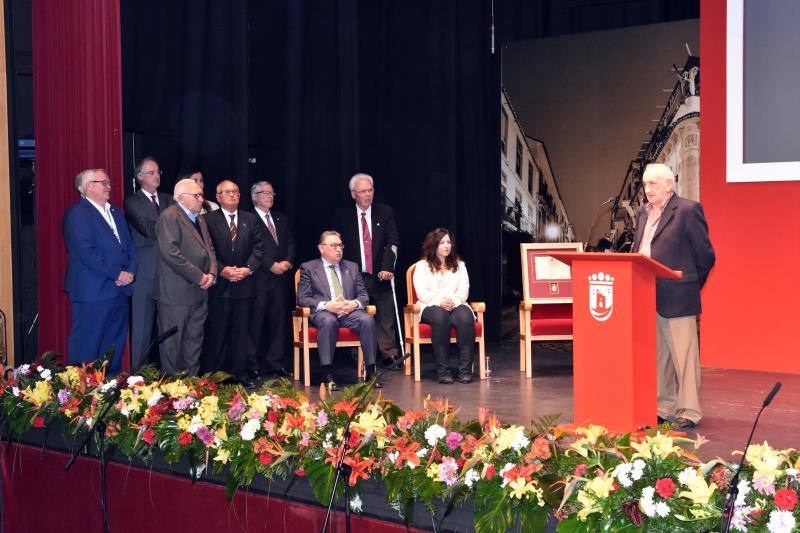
(101,266)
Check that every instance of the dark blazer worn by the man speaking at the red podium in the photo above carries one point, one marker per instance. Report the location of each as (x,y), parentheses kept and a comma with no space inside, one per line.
(680,242)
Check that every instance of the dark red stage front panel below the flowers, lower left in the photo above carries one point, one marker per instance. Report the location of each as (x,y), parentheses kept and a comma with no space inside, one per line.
(40,497)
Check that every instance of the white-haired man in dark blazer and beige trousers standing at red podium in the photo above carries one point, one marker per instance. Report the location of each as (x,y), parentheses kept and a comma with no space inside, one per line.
(674,232)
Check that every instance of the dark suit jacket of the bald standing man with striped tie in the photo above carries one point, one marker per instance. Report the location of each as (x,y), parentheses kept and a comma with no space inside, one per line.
(247,251)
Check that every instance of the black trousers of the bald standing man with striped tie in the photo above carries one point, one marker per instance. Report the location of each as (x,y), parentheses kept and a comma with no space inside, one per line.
(225,344)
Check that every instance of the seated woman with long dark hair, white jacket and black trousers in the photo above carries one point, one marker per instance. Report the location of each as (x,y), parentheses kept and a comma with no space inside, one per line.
(442,286)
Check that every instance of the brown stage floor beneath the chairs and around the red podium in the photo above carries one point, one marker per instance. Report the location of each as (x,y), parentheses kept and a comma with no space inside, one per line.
(730,398)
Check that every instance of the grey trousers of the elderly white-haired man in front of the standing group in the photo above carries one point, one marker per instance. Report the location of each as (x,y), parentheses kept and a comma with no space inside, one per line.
(181,352)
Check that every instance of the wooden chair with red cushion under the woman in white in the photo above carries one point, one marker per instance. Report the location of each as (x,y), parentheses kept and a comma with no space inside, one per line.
(416,333)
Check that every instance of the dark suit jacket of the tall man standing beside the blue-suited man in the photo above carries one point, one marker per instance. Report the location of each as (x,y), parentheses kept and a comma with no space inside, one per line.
(141,217)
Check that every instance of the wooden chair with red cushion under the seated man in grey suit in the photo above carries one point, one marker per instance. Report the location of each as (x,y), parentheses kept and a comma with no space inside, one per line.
(304,338)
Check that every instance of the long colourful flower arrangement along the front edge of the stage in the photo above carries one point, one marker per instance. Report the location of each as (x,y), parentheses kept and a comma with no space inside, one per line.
(516,477)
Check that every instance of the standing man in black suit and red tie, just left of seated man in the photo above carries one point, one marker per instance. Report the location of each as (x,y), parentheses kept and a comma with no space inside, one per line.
(270,318)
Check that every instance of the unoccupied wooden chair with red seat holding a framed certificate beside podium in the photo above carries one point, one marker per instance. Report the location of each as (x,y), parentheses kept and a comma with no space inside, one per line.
(545,313)
